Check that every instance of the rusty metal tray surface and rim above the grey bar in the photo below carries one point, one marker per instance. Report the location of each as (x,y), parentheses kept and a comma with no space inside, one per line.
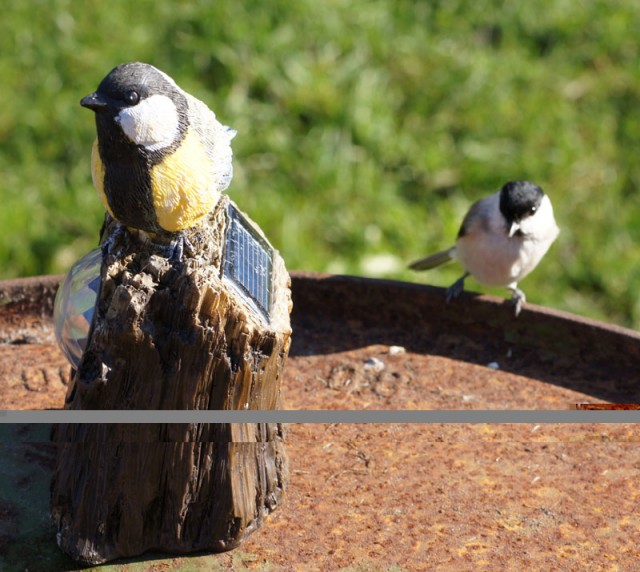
(362,343)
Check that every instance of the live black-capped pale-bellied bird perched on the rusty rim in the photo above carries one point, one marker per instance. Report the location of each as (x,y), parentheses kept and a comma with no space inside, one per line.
(503,237)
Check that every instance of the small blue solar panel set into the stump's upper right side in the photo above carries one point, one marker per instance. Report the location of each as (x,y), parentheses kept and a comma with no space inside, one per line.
(248,262)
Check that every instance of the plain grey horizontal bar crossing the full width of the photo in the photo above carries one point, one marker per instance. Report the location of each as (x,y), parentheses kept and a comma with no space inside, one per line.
(321,416)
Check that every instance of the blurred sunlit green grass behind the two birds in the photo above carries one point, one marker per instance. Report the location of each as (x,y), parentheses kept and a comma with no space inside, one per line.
(365,128)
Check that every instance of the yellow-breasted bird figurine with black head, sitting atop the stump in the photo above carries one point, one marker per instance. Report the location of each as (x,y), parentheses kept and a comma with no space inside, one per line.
(161,158)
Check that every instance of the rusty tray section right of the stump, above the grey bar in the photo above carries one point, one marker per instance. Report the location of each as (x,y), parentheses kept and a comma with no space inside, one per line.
(545,359)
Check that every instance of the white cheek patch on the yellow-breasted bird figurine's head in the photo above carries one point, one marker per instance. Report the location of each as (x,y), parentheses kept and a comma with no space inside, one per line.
(152,123)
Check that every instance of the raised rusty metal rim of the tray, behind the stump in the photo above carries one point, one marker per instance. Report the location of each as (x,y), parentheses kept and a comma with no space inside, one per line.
(336,316)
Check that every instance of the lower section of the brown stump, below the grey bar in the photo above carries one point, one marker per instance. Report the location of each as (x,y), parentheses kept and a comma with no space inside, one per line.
(121,490)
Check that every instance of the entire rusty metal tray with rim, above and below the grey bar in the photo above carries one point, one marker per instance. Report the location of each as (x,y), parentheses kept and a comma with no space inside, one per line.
(388,497)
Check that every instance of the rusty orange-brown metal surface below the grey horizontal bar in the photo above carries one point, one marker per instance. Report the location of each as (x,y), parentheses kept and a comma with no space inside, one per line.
(402,497)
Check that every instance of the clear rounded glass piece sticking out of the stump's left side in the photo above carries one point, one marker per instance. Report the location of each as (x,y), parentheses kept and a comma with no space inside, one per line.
(74,305)
